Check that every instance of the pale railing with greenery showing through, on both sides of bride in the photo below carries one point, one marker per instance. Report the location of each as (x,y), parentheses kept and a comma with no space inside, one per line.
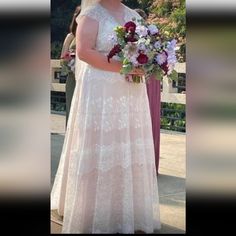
(173,92)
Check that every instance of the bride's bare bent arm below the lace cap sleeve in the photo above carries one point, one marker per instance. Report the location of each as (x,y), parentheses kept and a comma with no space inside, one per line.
(86,35)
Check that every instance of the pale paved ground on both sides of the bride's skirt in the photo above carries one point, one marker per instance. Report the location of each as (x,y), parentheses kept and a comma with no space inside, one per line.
(171,180)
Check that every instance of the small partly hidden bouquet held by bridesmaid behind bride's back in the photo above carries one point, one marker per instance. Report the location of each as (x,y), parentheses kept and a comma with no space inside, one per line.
(68,62)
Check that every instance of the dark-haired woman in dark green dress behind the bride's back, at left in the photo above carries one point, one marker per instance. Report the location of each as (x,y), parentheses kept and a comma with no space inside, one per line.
(69,43)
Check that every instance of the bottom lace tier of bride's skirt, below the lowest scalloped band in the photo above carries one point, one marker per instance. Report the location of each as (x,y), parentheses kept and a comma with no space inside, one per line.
(113,205)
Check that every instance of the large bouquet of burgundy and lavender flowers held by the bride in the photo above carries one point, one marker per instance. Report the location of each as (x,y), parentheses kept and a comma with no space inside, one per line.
(141,46)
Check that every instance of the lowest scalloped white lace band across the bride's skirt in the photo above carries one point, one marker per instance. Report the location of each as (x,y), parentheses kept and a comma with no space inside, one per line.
(106,157)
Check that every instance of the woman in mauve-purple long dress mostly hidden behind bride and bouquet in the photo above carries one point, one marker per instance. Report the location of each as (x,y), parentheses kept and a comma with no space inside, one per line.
(154,96)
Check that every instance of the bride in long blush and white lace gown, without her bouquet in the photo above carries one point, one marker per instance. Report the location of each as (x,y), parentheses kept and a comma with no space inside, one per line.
(106,180)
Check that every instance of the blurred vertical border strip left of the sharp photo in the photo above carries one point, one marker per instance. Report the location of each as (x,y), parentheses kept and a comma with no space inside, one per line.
(24,115)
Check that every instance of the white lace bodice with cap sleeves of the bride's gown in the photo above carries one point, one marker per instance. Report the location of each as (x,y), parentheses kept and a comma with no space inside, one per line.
(106,24)
